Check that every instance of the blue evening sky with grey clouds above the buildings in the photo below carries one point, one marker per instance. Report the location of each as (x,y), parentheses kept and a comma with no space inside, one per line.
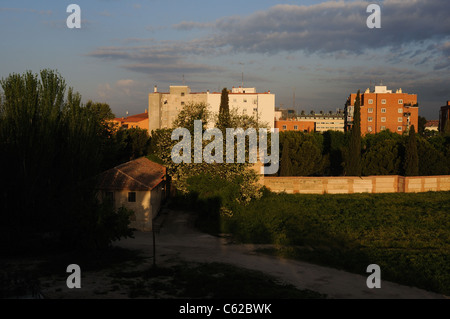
(317,51)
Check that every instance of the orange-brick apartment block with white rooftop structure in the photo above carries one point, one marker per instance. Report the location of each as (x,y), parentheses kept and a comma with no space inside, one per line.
(383,110)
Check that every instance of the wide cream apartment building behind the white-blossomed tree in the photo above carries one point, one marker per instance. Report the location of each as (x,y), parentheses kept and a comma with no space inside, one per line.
(164,107)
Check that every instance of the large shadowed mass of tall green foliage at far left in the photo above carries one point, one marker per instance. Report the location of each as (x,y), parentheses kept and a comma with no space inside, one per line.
(50,145)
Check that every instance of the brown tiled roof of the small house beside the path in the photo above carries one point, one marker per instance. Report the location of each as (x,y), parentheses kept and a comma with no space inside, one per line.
(139,175)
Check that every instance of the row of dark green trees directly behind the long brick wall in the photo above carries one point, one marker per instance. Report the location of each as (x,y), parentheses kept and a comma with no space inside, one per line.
(382,153)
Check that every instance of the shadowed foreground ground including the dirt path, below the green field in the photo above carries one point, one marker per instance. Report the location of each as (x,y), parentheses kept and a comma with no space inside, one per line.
(184,253)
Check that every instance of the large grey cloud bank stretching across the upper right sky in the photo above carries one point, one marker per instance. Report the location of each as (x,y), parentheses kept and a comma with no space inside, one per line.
(414,32)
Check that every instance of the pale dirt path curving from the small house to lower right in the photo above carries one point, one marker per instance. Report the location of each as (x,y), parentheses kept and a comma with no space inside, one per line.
(178,238)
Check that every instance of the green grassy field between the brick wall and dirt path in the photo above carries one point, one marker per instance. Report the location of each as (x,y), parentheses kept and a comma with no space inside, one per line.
(407,235)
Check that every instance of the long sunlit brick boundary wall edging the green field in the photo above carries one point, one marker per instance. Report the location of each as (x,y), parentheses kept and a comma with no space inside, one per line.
(351,185)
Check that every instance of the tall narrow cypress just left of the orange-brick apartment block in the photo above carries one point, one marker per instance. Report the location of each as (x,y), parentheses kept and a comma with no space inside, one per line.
(353,161)
